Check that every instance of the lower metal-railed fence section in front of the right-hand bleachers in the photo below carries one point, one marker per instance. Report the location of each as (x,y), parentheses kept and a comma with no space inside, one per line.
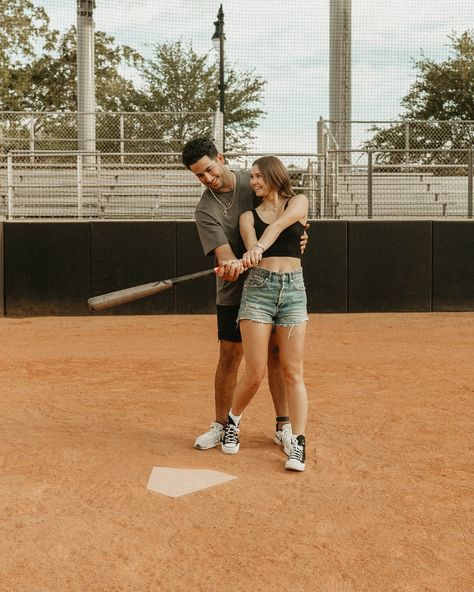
(372,186)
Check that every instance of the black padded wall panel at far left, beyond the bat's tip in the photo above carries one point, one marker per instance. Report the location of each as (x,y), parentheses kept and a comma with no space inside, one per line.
(46,268)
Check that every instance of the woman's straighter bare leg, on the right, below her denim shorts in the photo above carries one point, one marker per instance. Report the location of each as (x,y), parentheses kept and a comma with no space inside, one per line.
(291,344)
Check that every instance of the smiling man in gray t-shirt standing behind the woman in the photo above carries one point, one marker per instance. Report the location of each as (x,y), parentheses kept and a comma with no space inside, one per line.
(227,195)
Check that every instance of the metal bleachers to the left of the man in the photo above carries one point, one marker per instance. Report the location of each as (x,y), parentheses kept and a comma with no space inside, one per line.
(104,194)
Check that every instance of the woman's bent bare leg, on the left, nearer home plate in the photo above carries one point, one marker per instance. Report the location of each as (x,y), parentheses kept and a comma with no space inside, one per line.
(255,338)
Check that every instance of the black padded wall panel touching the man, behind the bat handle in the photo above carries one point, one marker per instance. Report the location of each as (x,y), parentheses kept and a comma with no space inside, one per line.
(197,296)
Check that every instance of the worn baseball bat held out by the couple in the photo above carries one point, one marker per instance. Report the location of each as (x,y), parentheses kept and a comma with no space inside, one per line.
(111,299)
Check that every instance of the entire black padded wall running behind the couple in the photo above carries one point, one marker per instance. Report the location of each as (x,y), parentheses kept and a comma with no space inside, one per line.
(52,268)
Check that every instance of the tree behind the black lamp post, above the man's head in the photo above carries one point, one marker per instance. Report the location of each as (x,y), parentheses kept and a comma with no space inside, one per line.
(178,80)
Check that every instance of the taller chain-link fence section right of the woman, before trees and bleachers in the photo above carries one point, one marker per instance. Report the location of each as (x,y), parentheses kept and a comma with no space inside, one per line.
(397,169)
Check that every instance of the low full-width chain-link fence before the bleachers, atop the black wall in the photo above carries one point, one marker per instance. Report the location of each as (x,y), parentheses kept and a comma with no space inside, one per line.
(155,186)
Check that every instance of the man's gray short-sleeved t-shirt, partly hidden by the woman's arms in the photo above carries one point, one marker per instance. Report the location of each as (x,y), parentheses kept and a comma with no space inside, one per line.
(216,228)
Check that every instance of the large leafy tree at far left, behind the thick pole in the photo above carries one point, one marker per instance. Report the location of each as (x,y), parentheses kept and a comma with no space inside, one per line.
(38,72)
